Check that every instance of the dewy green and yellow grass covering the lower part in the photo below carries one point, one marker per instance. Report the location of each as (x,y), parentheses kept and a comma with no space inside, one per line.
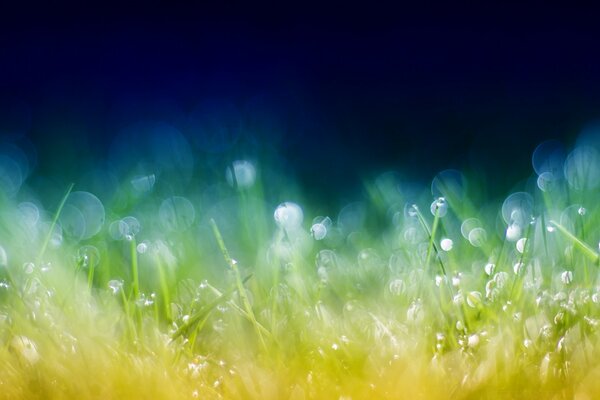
(234,298)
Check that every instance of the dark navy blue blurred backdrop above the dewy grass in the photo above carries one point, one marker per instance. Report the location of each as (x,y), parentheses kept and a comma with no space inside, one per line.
(348,92)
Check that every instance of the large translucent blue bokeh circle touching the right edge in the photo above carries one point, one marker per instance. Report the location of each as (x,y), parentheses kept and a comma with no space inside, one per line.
(582,168)
